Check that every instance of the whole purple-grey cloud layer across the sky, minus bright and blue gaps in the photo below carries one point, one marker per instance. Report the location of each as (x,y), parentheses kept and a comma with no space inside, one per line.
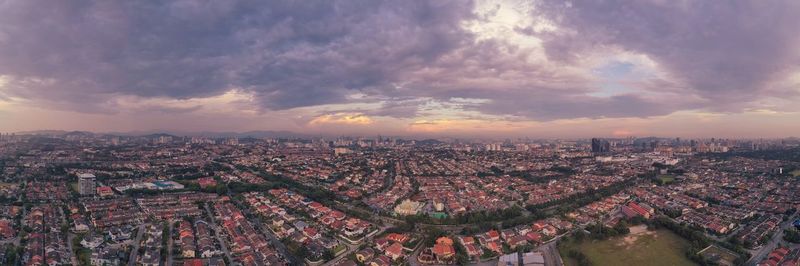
(83,55)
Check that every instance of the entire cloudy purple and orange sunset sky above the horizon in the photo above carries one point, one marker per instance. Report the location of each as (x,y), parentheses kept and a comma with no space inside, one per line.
(541,69)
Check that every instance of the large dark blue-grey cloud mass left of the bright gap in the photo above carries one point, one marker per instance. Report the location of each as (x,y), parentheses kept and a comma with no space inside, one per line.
(289,53)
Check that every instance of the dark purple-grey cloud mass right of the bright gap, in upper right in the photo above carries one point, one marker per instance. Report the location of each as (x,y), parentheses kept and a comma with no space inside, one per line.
(728,52)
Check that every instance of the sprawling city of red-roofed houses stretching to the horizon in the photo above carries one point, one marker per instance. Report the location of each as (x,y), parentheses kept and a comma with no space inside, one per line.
(81,198)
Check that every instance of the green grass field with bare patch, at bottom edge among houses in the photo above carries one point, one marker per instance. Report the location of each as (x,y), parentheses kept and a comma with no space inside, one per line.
(641,247)
